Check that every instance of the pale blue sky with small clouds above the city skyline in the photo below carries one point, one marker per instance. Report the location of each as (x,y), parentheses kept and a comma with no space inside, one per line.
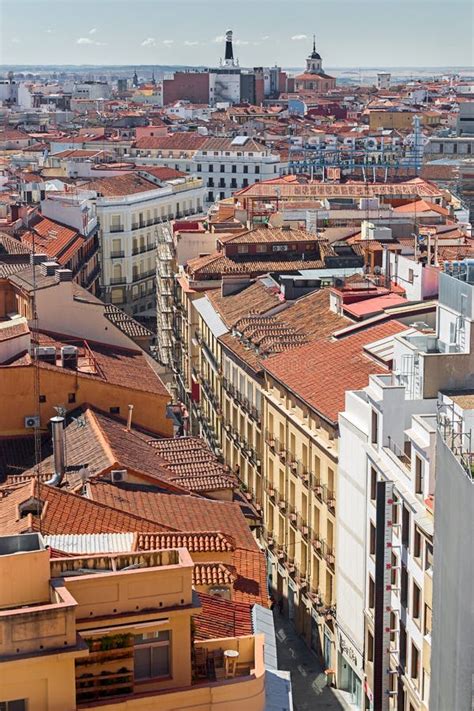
(353,33)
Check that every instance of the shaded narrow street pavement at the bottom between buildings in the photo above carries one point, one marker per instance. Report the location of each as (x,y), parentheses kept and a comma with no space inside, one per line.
(310,692)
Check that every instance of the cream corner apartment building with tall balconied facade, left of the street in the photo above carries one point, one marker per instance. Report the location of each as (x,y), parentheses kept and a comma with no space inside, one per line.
(129,209)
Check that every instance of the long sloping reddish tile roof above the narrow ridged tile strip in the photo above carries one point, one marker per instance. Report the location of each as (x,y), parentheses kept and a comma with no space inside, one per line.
(176,512)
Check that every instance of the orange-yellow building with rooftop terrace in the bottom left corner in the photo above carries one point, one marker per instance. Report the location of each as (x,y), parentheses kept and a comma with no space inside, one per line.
(114,631)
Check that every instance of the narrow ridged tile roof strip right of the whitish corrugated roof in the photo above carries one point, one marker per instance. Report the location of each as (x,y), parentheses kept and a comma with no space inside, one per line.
(195,542)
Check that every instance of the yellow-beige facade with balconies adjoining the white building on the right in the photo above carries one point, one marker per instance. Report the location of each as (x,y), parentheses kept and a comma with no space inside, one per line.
(300,462)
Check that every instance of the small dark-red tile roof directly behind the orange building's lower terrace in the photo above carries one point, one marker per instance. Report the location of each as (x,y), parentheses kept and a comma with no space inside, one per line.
(220,618)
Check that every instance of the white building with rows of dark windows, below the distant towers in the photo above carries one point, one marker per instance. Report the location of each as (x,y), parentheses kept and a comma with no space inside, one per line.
(227,165)
